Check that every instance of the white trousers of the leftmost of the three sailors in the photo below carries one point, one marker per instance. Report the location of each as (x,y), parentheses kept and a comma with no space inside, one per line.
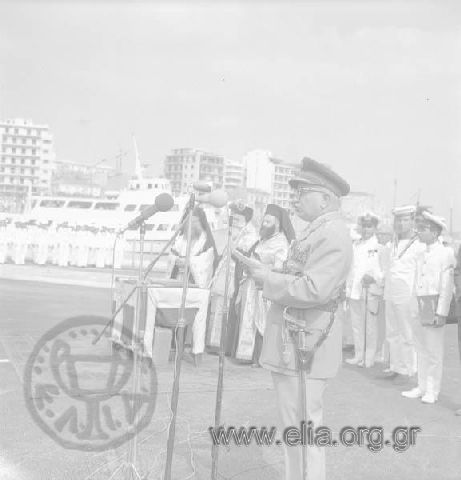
(358,318)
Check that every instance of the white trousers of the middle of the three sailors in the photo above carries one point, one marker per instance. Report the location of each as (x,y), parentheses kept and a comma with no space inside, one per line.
(400,316)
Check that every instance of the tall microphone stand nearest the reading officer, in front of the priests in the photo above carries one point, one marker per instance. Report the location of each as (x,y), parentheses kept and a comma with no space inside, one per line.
(224,320)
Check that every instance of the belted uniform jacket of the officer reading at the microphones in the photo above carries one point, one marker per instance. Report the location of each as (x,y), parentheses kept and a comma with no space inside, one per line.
(315,274)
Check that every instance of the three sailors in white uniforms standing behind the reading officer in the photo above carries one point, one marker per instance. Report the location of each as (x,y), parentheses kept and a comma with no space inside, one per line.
(415,274)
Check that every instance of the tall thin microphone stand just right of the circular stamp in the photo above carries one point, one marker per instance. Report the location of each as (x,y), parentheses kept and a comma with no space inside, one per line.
(179,337)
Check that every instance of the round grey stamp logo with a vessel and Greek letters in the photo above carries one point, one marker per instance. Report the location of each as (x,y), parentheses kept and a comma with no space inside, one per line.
(86,395)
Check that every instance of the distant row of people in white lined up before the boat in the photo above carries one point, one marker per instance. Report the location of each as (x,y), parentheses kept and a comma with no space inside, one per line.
(61,245)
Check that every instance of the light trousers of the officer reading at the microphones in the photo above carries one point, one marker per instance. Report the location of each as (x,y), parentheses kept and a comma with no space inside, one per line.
(288,400)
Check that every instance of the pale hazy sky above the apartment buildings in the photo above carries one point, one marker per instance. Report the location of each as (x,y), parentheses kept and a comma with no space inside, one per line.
(371,88)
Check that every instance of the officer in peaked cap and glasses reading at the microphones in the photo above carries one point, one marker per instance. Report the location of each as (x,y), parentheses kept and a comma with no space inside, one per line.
(308,290)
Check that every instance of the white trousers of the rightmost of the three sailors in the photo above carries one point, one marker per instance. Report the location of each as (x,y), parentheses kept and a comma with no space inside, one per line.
(429,343)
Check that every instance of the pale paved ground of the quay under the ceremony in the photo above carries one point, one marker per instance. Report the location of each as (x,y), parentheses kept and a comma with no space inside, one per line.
(356,397)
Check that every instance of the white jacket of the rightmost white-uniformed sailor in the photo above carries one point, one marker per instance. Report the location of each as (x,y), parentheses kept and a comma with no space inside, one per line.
(434,276)
